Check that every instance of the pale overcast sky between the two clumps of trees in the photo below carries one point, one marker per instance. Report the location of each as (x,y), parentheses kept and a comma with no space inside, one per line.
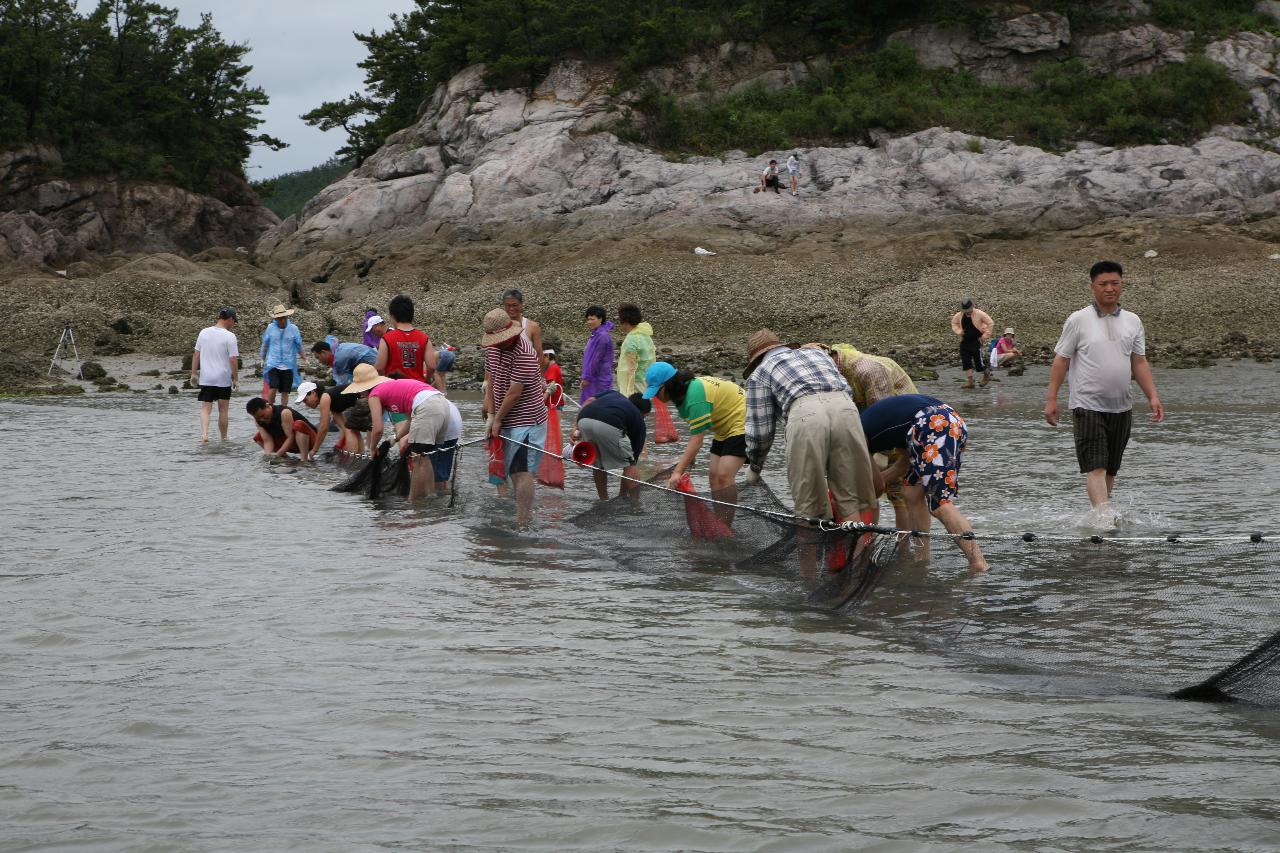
(304,54)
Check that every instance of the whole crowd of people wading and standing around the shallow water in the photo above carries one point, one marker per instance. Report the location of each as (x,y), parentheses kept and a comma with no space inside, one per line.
(857,428)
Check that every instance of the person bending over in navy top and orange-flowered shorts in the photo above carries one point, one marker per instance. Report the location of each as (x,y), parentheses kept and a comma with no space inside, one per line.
(934,436)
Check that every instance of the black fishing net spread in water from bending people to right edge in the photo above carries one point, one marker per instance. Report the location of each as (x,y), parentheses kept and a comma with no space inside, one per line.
(1192,621)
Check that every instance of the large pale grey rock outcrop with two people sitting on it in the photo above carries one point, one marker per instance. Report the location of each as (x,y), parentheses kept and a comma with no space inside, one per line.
(511,167)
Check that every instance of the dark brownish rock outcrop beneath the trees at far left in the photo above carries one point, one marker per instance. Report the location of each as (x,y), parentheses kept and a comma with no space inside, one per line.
(51,220)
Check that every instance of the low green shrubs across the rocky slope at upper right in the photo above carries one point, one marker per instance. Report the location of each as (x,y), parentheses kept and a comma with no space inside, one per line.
(890,90)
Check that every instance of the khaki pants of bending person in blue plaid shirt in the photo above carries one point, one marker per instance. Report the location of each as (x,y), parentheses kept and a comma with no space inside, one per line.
(828,450)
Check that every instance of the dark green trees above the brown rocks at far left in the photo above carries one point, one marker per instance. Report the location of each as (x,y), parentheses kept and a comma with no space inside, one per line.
(129,92)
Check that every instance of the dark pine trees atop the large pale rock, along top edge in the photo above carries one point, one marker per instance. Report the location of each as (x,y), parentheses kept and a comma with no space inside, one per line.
(520,39)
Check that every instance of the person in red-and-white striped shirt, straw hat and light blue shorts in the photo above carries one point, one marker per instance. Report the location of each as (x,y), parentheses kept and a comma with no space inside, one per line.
(518,399)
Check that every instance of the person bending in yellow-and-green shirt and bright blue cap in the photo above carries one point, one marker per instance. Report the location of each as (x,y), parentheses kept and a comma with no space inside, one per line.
(708,405)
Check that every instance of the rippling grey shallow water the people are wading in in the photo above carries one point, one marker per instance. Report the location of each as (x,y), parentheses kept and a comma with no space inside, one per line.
(205,653)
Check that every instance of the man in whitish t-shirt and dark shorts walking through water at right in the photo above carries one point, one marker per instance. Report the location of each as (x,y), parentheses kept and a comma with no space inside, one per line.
(1104,348)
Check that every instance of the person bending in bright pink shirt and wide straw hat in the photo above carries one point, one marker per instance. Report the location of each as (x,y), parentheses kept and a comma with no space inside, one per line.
(432,422)
